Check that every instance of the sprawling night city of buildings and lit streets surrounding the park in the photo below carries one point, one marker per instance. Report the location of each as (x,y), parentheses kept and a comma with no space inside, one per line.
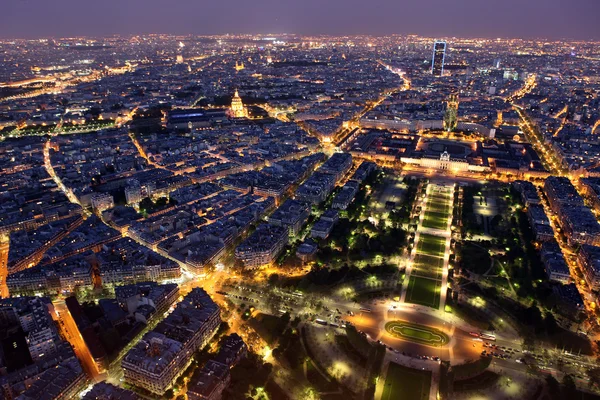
(129,165)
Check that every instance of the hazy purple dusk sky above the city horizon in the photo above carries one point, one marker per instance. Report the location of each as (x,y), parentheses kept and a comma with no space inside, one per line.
(554,19)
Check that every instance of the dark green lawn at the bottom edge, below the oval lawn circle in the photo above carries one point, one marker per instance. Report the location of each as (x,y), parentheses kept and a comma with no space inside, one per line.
(403,383)
